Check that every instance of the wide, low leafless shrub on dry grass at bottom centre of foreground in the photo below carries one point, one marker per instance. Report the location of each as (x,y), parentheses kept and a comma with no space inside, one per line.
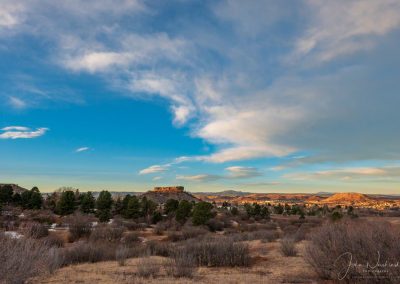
(219,252)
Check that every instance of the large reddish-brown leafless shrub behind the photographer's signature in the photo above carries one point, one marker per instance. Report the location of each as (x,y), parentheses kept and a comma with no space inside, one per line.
(334,245)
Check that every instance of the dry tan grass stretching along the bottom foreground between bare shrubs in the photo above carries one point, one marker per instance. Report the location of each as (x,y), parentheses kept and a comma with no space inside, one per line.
(269,267)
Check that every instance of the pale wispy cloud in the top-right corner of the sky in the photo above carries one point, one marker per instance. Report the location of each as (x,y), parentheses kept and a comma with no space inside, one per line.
(343,27)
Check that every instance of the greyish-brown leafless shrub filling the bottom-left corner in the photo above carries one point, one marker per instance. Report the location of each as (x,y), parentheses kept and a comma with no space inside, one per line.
(24,258)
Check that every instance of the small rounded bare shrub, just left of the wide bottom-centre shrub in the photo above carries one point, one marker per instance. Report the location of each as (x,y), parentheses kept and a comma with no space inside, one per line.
(181,265)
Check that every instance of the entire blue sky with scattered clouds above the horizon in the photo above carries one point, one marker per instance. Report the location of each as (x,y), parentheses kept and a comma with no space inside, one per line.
(262,96)
